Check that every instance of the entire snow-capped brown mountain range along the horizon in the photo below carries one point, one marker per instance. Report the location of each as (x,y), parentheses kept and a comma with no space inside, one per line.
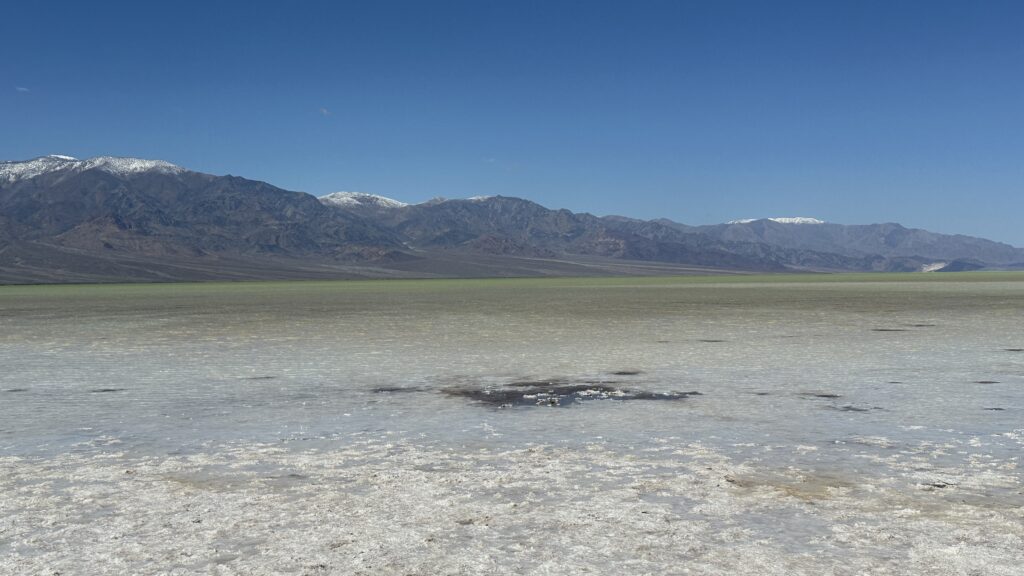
(123,220)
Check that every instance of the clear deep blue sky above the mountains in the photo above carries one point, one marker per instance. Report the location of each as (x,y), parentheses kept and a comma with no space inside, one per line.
(854,112)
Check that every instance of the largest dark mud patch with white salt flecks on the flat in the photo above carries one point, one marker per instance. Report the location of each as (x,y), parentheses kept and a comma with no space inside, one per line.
(556,395)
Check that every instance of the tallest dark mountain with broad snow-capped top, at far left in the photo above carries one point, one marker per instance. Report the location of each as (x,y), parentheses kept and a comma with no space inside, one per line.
(129,209)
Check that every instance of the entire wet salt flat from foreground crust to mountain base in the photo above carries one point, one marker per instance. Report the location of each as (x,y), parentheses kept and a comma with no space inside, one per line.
(326,429)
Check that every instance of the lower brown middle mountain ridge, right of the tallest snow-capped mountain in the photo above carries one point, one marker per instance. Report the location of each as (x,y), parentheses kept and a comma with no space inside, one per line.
(513,226)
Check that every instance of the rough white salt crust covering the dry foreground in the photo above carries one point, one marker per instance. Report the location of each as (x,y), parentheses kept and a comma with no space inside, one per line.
(379,507)
